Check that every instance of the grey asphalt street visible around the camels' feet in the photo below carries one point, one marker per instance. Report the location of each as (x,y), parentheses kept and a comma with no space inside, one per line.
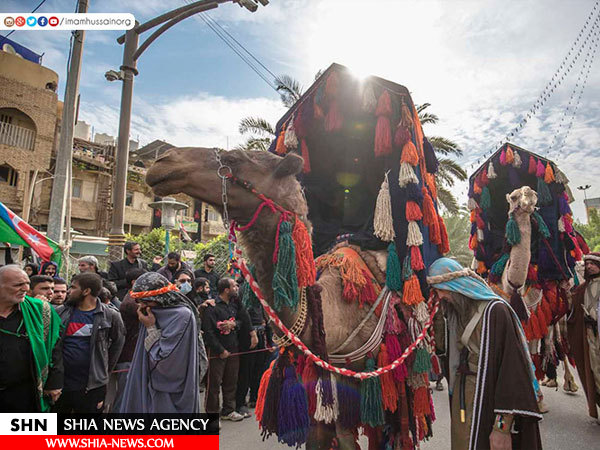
(567,425)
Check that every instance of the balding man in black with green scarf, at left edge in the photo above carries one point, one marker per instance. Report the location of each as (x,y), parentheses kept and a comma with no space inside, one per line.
(31,370)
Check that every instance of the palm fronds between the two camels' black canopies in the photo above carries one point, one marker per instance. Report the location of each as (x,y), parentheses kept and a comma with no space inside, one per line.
(449,171)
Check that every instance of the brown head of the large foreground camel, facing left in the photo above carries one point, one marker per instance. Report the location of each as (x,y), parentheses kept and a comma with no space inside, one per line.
(193,171)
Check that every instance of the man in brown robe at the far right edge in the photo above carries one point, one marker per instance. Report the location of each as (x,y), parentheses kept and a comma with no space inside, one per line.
(582,327)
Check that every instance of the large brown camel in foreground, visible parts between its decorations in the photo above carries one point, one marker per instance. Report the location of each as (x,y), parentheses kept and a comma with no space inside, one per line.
(194,171)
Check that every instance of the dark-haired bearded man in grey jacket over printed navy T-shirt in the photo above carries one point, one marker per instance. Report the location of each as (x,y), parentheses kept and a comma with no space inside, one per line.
(93,338)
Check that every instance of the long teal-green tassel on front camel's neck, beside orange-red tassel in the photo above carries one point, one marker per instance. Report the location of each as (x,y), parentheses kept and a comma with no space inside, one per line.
(285,281)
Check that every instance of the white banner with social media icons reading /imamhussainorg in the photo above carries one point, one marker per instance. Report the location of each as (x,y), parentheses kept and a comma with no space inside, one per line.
(66,21)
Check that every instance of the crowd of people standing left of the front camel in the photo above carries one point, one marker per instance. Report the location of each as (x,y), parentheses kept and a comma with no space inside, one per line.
(134,339)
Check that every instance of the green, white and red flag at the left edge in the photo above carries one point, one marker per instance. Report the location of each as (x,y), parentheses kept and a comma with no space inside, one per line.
(15,230)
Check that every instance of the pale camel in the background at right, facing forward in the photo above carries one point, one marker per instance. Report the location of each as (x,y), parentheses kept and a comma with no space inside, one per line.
(522,203)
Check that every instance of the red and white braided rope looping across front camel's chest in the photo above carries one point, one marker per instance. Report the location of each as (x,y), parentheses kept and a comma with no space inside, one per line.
(314,358)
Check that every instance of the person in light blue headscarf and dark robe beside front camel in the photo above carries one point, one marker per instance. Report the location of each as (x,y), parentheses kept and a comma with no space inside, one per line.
(492,387)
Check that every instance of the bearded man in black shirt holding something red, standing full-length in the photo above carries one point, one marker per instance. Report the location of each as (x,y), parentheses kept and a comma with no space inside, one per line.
(222,325)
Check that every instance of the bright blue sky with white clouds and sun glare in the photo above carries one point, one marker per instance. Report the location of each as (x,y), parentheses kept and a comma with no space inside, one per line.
(482,64)
